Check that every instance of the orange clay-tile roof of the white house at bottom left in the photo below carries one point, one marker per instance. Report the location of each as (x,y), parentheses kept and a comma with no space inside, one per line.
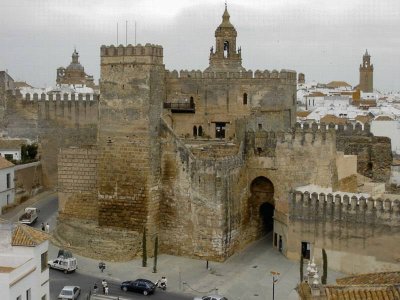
(27,236)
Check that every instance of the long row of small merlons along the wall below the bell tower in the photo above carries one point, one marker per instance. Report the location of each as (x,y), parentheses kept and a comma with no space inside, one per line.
(266,74)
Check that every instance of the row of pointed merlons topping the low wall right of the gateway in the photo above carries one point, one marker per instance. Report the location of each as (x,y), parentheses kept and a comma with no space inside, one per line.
(342,205)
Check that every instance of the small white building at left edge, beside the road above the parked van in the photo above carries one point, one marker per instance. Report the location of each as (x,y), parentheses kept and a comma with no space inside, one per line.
(7,188)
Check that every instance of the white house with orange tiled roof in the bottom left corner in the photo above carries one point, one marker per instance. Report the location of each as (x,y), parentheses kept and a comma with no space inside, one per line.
(24,274)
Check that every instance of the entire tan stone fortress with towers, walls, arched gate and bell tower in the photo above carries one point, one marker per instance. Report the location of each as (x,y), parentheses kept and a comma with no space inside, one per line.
(208,161)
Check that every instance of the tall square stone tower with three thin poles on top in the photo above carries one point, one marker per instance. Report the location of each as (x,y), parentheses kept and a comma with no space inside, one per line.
(132,88)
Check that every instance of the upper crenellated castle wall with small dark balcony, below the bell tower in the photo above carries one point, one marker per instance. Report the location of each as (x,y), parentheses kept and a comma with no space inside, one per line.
(220,97)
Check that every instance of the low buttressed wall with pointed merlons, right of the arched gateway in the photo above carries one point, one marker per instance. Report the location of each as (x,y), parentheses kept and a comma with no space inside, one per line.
(355,226)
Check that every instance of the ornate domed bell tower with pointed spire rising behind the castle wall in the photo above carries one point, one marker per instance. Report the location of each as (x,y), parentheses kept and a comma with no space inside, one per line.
(226,56)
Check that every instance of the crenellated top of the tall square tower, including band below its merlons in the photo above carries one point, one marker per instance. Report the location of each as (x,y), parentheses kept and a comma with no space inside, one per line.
(149,53)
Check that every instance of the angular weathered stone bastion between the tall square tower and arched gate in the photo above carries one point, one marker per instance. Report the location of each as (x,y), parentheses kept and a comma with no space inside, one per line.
(201,202)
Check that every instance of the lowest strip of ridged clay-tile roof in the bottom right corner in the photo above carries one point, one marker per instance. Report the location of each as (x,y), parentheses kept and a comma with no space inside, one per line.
(362,292)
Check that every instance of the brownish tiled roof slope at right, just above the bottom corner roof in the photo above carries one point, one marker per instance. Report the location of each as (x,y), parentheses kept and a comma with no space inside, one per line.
(371,278)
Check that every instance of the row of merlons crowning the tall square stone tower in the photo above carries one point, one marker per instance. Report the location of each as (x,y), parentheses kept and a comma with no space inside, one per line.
(130,50)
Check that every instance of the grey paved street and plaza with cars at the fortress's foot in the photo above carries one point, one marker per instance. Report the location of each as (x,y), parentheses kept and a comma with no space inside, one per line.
(244,276)
